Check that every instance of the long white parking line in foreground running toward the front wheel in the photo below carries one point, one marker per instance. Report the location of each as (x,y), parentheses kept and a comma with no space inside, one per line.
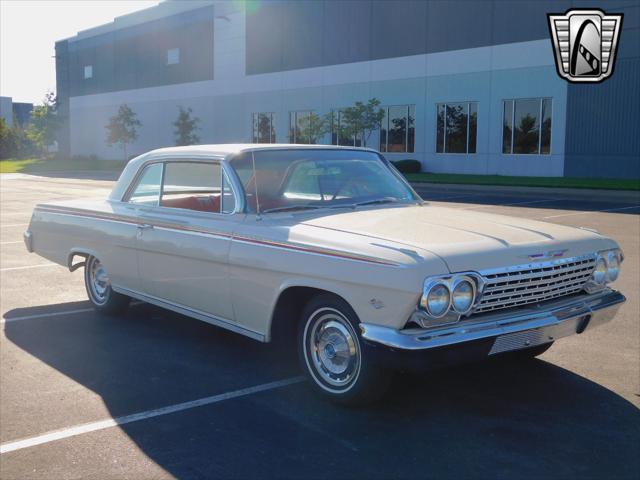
(112,422)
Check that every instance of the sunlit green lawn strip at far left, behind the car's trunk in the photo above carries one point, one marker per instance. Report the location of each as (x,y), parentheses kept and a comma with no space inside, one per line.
(34,165)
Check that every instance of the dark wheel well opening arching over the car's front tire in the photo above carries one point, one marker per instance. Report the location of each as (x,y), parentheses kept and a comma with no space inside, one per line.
(288,308)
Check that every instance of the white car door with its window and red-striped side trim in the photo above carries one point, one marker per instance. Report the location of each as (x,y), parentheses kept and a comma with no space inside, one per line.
(183,240)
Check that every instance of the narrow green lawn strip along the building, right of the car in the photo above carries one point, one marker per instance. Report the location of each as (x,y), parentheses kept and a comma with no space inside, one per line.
(557,182)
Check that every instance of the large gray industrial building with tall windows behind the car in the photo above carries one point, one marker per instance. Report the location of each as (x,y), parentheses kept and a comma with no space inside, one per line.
(467,86)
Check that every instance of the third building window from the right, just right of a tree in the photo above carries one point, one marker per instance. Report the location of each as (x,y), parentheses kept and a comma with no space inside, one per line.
(397,129)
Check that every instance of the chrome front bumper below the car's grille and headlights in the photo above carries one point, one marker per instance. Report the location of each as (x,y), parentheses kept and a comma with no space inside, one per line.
(512,331)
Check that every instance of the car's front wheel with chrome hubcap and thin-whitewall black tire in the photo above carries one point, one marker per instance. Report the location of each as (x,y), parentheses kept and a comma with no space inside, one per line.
(333,356)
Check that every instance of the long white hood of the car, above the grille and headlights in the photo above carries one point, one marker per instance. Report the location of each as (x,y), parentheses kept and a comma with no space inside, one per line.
(465,240)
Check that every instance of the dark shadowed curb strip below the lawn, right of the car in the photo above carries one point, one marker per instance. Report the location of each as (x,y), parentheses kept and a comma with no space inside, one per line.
(574,193)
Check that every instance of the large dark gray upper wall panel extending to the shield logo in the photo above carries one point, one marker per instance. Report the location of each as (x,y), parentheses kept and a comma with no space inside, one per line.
(288,34)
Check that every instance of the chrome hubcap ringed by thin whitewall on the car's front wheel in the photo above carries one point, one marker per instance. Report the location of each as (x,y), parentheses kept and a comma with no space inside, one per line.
(333,349)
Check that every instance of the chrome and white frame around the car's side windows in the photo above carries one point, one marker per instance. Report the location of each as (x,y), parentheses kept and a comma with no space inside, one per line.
(238,196)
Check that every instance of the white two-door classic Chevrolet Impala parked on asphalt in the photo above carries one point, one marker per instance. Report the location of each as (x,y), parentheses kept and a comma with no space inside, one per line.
(333,244)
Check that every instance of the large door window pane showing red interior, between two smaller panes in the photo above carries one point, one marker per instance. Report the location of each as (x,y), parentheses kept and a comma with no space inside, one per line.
(192,186)
